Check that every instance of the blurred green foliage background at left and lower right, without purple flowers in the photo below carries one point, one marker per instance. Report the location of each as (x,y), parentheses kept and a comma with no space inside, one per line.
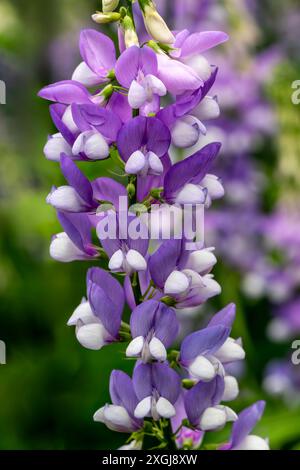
(51,386)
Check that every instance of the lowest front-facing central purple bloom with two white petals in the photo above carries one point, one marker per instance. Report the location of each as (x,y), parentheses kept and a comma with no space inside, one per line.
(157,387)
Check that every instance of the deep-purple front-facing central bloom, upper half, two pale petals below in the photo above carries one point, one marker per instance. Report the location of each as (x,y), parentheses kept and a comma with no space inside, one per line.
(143,144)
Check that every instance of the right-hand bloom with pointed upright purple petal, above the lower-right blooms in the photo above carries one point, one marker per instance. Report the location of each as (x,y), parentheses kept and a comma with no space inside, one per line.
(205,351)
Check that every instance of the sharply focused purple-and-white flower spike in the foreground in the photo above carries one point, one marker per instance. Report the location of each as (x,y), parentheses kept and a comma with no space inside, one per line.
(112,109)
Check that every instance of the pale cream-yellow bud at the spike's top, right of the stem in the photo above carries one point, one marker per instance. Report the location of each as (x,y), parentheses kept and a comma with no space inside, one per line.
(154,23)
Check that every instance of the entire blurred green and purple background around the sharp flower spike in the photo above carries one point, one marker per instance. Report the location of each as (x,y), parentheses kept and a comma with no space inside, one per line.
(51,386)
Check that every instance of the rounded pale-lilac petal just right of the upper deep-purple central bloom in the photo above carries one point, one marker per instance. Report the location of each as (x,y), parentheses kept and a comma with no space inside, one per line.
(186,132)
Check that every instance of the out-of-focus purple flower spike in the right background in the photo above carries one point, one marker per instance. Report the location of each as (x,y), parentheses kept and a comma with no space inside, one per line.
(266,245)
